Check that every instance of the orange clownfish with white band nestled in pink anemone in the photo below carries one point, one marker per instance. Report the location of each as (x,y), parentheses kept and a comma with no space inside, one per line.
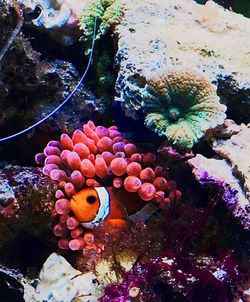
(92,206)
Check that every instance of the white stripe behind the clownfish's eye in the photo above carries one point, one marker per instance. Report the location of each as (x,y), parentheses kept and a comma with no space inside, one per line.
(104,209)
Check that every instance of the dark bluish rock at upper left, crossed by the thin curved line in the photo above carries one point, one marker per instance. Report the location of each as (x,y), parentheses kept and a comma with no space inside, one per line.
(31,88)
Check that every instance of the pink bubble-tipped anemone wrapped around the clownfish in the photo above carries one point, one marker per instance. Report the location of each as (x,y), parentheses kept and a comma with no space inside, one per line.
(100,157)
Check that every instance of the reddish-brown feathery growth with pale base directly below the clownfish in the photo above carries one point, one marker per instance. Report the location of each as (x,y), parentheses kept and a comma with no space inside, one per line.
(123,249)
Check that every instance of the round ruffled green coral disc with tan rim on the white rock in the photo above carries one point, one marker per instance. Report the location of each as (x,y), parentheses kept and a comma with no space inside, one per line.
(181,105)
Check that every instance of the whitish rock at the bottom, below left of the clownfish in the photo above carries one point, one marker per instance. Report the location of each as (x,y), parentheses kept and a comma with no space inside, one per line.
(59,281)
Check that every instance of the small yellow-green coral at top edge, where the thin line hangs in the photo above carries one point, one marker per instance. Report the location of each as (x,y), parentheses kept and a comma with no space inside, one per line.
(108,13)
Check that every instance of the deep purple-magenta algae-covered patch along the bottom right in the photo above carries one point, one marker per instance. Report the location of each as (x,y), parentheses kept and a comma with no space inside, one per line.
(203,279)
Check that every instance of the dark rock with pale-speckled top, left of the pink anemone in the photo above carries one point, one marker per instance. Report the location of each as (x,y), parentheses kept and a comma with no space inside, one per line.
(26,214)
